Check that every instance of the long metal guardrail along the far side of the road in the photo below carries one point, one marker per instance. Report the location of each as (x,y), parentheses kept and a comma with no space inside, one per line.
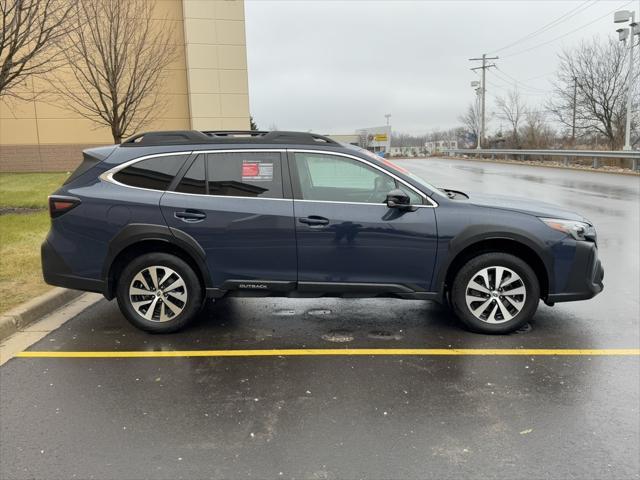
(565,155)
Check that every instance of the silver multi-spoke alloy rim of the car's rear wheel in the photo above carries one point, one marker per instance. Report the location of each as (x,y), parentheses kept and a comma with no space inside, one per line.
(158,293)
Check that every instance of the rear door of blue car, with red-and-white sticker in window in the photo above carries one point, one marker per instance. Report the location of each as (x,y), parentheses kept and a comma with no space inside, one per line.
(244,237)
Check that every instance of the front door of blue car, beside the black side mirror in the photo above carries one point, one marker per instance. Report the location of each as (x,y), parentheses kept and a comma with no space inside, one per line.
(344,240)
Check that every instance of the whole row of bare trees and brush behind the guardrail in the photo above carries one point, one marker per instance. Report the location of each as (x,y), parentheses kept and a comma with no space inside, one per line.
(587,106)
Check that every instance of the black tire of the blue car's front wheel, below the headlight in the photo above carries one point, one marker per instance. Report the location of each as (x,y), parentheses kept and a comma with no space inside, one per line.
(510,303)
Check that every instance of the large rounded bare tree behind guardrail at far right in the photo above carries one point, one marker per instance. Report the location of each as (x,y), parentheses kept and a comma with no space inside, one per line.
(598,70)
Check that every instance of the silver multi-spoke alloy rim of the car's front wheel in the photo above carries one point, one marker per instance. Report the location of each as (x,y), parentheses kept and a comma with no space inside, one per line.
(495,294)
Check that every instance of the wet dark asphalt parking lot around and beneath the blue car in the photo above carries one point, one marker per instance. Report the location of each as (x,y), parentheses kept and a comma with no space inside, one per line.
(386,415)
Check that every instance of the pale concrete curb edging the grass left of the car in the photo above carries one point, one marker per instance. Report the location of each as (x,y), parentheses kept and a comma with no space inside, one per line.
(27,313)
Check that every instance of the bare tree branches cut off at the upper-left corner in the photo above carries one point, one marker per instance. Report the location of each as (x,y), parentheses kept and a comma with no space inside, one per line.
(30,30)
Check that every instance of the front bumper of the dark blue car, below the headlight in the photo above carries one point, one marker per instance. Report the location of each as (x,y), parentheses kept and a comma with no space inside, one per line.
(585,278)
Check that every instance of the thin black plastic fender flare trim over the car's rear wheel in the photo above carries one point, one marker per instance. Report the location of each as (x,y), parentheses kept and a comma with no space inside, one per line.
(140,232)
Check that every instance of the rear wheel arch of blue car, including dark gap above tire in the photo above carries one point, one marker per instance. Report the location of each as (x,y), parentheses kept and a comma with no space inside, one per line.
(138,239)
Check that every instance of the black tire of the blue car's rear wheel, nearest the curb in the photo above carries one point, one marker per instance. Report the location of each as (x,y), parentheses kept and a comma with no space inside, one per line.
(170,322)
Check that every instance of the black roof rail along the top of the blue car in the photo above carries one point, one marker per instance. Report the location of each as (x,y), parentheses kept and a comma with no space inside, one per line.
(193,137)
